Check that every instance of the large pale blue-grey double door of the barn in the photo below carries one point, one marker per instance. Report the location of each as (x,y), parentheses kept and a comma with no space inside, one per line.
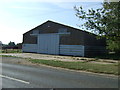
(48,43)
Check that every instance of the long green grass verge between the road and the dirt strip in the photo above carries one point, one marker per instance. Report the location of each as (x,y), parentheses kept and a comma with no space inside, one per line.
(92,67)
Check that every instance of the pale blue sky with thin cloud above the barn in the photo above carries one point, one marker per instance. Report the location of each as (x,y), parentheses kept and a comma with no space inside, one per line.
(20,16)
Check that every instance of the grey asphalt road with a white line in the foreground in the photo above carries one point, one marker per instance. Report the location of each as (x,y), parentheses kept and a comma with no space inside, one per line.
(27,76)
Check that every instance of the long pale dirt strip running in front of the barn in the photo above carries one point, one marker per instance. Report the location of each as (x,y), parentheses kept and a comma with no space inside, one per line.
(60,58)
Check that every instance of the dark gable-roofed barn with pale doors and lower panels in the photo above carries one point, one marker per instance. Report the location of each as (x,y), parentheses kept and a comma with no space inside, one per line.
(55,38)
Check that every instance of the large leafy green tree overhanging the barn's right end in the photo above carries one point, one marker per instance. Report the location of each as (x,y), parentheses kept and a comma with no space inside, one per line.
(105,21)
